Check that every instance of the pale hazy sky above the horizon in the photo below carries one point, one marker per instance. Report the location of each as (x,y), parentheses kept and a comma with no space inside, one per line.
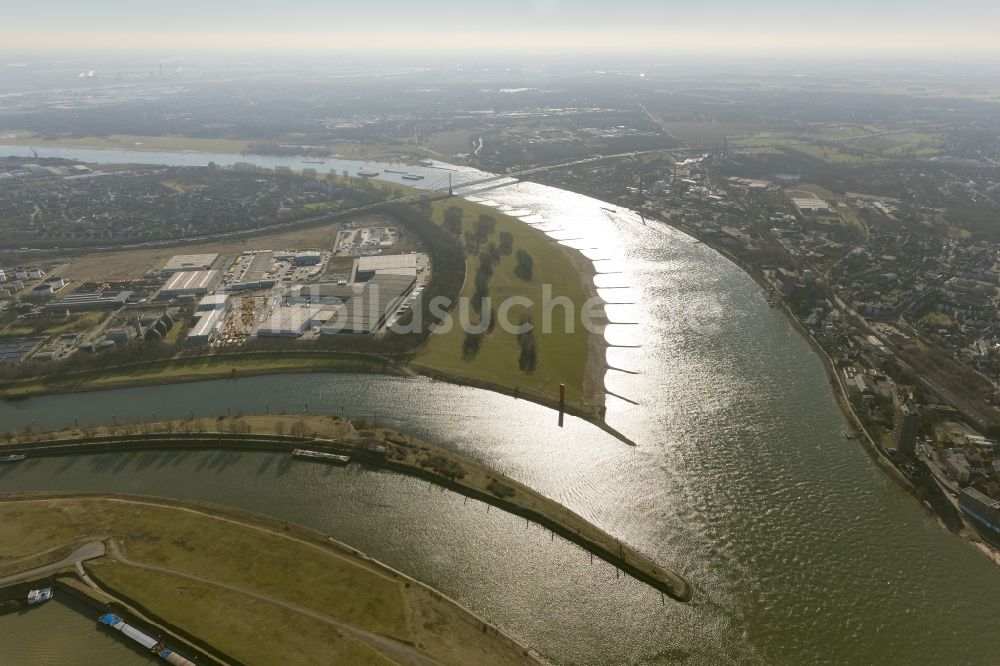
(845,27)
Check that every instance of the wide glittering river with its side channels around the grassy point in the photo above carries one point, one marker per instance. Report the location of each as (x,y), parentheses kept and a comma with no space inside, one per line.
(798,547)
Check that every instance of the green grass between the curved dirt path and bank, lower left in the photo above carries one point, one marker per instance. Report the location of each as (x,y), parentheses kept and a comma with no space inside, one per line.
(257,560)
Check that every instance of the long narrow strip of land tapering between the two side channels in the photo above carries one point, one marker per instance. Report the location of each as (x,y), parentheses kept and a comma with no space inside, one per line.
(372,445)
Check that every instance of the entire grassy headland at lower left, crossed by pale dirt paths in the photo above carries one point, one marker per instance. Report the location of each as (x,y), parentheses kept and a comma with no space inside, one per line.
(239,587)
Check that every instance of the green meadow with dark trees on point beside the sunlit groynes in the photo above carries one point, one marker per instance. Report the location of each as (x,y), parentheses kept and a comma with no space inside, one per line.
(562,356)
